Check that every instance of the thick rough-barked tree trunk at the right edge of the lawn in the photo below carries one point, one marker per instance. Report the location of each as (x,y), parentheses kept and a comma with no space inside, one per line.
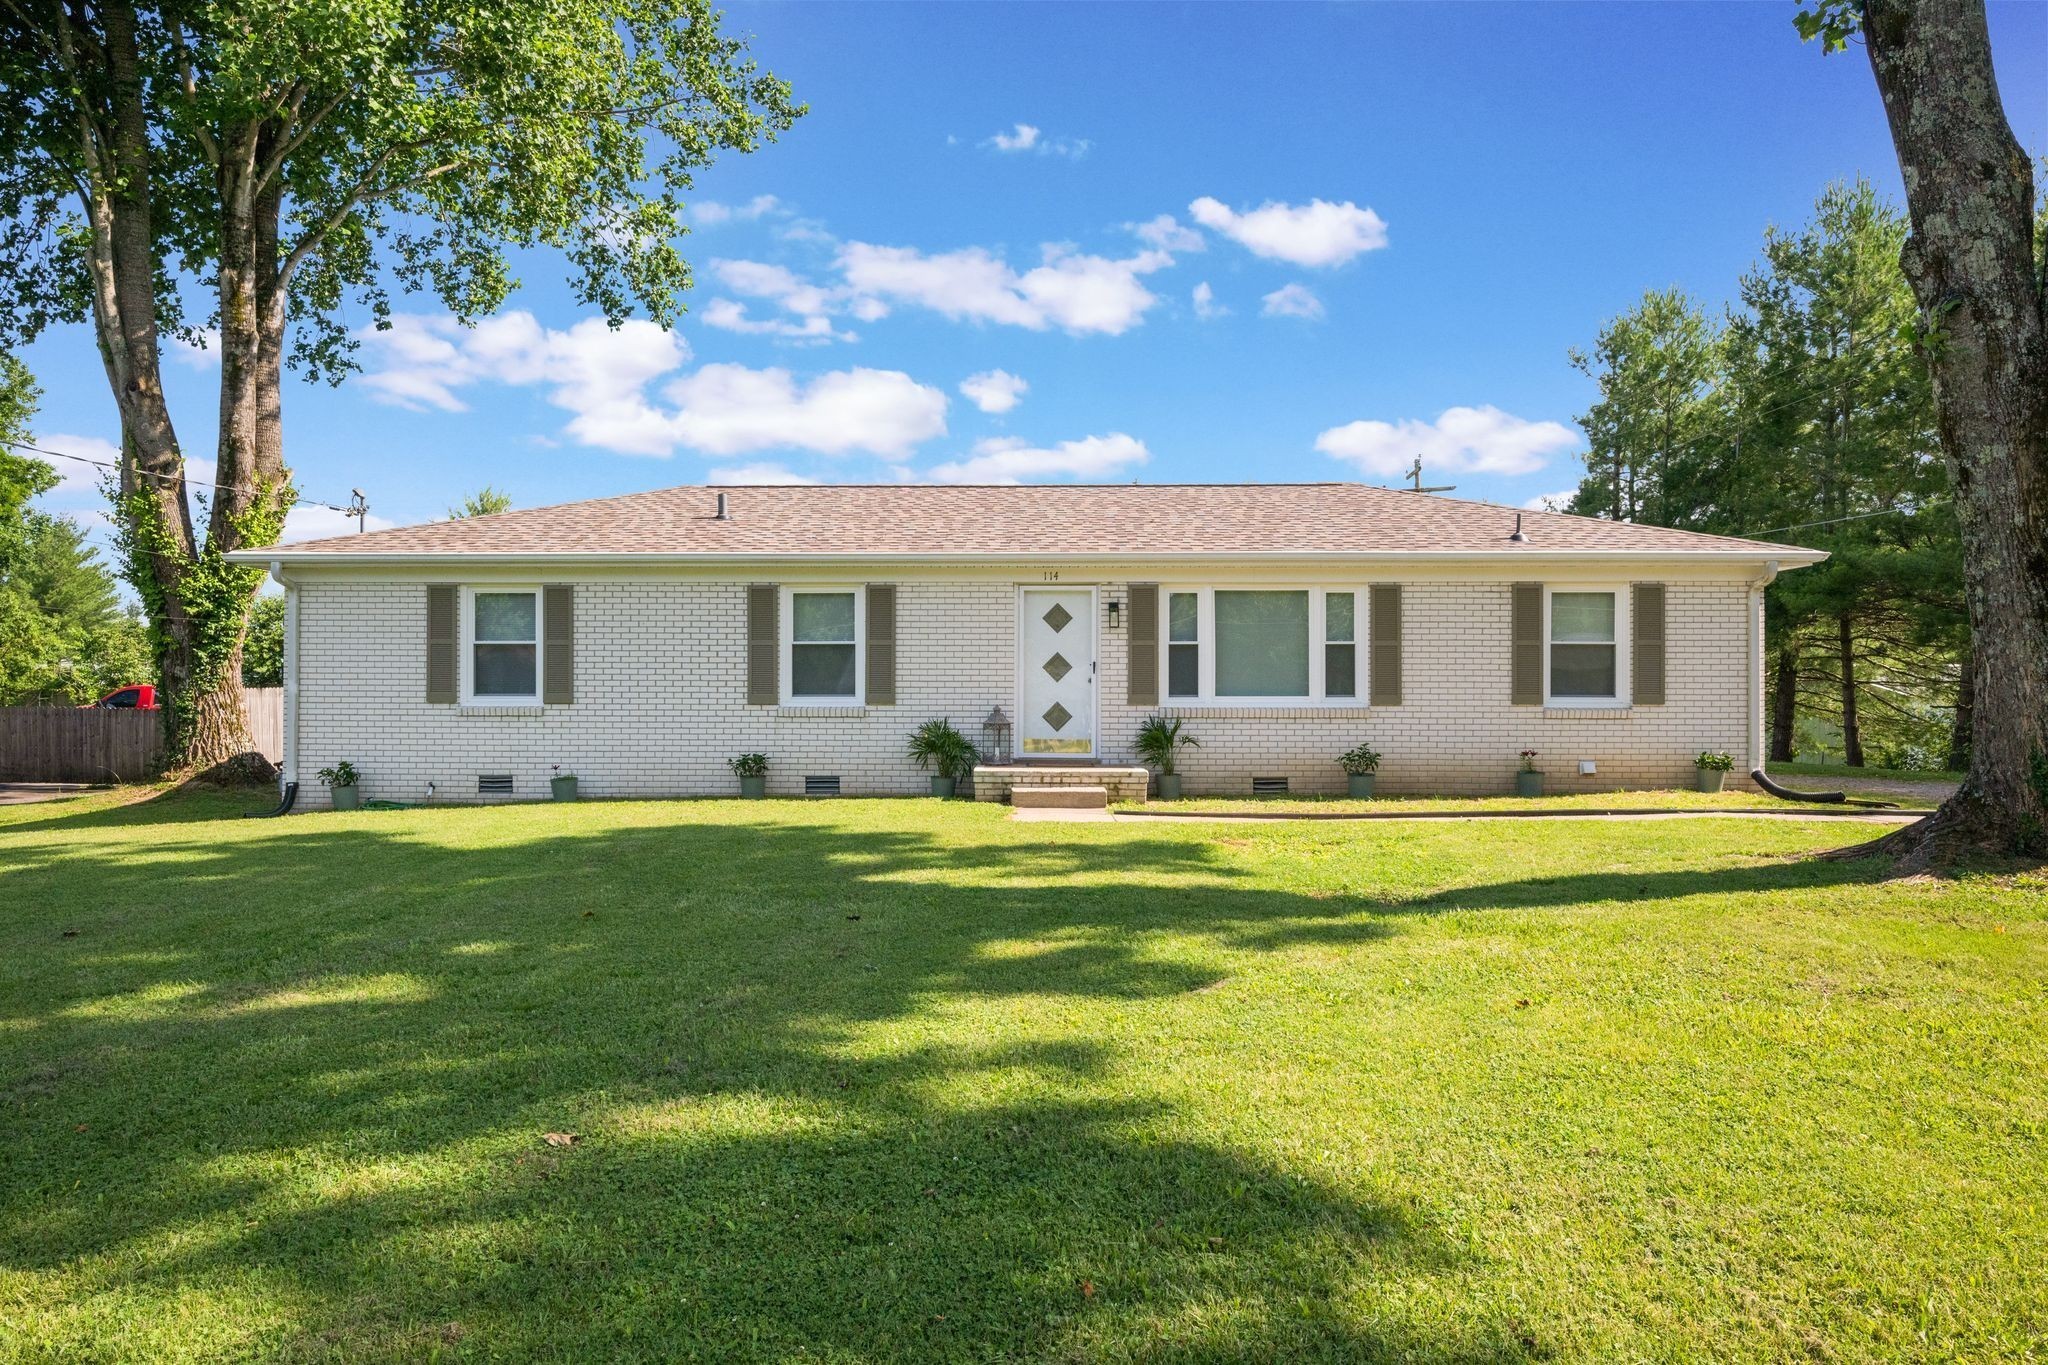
(1971,265)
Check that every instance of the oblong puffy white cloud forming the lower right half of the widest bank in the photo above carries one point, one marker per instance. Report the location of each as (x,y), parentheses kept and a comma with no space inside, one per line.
(734,410)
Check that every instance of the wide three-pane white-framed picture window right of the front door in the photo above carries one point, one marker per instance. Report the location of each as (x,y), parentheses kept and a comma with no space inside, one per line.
(1263,646)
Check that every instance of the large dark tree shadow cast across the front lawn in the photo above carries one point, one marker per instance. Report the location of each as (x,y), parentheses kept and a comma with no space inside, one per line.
(321,1061)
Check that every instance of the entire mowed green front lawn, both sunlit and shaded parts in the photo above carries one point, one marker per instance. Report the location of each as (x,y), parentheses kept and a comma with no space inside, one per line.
(876,1082)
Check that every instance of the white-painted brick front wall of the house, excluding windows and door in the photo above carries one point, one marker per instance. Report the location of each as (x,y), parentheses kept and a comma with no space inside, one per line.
(660,705)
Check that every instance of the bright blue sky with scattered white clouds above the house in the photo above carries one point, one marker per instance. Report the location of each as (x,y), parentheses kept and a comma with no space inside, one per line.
(1125,243)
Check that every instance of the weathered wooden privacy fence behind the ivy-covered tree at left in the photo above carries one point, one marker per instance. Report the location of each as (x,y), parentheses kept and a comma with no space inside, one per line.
(71,744)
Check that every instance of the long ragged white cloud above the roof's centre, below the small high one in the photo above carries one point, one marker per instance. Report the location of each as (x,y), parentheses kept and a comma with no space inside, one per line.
(1072,292)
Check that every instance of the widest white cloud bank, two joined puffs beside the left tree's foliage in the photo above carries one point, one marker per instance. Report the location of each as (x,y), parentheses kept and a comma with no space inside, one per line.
(601,378)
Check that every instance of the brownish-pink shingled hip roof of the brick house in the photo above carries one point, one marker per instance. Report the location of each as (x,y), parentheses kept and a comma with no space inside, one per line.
(1025,521)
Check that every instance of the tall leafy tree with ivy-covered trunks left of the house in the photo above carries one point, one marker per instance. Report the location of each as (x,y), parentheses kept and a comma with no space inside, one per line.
(294,163)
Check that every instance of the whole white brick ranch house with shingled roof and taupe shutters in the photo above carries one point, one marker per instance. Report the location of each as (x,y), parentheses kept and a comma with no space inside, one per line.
(642,642)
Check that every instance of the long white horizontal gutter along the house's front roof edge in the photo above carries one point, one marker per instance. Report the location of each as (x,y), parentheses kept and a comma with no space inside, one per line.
(1031,558)
